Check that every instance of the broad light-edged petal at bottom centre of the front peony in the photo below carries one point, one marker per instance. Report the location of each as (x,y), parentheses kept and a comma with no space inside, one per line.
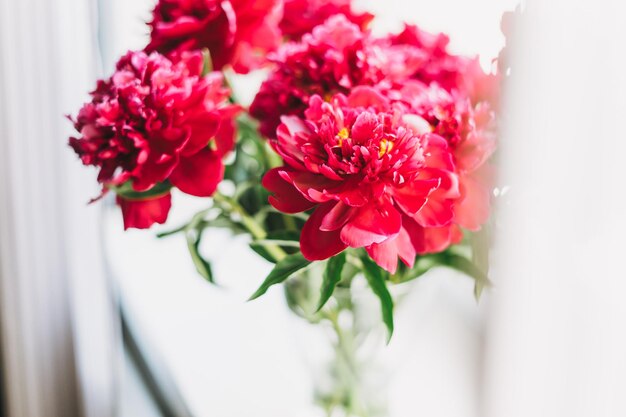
(372,223)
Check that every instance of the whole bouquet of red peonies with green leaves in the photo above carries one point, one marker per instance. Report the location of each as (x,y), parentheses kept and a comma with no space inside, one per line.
(367,156)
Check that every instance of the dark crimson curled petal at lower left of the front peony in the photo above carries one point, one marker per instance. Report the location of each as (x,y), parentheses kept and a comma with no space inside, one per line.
(316,244)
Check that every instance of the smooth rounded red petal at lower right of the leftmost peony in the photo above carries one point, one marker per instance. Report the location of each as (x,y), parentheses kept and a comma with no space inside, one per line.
(200,174)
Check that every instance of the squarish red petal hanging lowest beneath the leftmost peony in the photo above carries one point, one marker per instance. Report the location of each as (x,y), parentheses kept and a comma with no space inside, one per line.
(141,214)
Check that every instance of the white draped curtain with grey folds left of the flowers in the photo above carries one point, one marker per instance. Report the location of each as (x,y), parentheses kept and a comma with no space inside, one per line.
(59,337)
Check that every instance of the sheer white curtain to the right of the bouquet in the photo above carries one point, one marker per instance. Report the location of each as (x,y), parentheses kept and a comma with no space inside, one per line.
(557,332)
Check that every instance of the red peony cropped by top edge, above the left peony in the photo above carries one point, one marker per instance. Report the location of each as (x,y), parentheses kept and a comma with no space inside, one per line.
(236,32)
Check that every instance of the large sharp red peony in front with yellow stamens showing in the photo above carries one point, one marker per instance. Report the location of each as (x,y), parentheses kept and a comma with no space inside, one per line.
(373,178)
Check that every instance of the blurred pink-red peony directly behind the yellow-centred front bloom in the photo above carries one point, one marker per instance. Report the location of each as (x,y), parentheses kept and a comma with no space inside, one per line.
(333,58)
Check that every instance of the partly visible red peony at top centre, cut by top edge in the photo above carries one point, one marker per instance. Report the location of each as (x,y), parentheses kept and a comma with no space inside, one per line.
(301,16)
